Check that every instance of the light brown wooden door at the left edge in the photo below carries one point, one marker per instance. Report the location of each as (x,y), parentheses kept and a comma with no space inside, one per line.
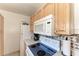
(1,35)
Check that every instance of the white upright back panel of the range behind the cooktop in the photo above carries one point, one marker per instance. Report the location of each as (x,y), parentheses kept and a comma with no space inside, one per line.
(52,43)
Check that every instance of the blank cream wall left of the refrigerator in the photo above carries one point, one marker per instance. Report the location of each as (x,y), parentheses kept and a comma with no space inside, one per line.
(12,22)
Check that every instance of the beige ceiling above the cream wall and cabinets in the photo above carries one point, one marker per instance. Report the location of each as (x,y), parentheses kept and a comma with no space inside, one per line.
(21,8)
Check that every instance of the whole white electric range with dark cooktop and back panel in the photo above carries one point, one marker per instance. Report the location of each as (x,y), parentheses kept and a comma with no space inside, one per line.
(45,47)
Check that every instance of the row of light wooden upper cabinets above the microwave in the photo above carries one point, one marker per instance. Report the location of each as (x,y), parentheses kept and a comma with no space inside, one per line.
(44,11)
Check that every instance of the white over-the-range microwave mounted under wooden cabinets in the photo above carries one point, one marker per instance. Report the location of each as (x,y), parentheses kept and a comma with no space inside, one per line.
(44,26)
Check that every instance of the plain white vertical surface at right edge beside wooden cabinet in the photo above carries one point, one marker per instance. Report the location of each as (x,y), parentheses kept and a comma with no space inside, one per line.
(76,17)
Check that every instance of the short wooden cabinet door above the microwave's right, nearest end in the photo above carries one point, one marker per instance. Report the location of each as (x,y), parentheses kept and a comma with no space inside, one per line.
(49,9)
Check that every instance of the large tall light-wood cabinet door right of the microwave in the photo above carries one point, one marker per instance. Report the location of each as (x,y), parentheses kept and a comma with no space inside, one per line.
(62,18)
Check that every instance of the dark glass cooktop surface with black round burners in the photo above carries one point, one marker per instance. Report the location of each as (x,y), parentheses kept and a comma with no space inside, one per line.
(40,49)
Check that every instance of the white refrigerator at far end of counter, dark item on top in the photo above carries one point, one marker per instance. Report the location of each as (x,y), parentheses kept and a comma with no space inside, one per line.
(25,34)
